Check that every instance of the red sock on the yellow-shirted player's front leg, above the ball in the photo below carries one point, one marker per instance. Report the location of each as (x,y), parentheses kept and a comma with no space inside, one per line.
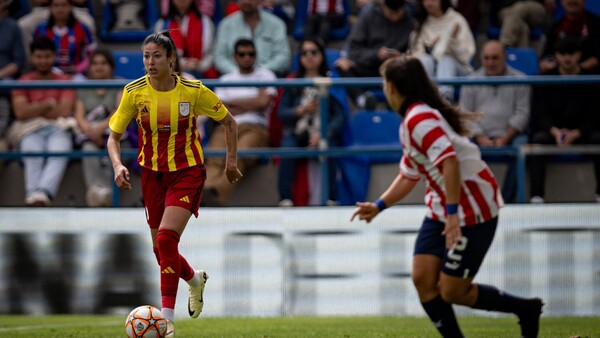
(168,241)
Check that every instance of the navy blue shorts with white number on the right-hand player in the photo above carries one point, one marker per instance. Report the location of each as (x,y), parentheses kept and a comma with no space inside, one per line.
(465,258)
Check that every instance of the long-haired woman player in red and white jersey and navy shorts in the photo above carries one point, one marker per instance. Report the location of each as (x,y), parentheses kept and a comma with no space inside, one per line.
(463,200)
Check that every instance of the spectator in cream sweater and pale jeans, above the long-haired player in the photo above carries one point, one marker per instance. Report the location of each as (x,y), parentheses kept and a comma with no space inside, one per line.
(443,42)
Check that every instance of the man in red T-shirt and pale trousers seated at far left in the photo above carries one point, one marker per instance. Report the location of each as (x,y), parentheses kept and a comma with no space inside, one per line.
(38,128)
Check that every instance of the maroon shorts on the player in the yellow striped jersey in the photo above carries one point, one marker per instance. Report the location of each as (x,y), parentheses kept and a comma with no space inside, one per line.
(182,188)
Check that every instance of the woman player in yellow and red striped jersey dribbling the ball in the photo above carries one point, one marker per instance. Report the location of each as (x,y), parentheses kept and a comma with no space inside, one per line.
(165,107)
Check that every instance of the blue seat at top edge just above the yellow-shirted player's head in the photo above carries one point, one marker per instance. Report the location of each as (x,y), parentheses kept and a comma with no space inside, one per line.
(108,34)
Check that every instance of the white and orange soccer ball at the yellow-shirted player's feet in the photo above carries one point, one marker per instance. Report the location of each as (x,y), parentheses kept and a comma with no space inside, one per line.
(145,321)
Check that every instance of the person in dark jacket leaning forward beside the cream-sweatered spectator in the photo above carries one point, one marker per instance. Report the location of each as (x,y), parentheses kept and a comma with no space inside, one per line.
(379,34)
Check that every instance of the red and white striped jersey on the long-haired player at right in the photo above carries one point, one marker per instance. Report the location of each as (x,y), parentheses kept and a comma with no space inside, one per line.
(427,140)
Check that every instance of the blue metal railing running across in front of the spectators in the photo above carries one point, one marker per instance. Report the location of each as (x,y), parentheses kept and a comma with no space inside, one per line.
(324,150)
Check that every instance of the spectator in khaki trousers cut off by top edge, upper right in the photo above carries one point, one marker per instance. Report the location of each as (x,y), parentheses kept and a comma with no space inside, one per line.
(518,17)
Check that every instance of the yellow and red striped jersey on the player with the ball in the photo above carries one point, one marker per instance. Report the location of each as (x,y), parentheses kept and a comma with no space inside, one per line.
(168,137)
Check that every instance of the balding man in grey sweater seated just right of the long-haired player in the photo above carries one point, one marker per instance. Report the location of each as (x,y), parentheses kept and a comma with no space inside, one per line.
(504,109)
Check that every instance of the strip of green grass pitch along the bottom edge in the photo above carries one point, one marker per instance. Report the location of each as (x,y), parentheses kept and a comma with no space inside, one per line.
(344,327)
